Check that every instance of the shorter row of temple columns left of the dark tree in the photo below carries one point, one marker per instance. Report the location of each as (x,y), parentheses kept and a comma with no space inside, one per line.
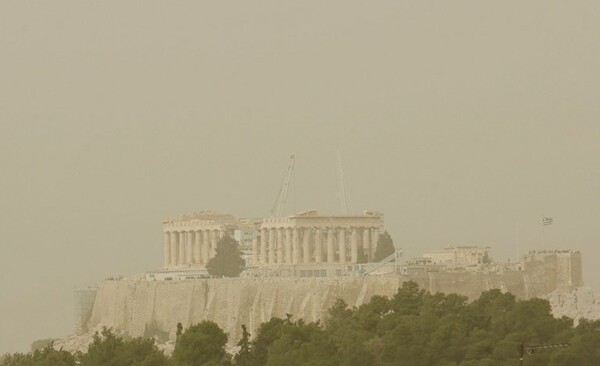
(183,248)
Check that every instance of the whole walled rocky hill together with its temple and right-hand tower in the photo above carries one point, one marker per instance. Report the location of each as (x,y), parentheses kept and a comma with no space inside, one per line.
(300,265)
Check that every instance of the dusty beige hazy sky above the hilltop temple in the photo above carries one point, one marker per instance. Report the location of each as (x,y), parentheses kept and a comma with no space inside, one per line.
(459,120)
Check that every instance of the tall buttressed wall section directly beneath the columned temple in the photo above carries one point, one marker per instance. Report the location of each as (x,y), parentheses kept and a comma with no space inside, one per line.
(131,306)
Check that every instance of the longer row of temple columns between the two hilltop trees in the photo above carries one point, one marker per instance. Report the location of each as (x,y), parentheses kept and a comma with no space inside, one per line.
(313,245)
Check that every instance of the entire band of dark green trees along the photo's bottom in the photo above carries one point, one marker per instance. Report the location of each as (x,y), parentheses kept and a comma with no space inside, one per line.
(413,328)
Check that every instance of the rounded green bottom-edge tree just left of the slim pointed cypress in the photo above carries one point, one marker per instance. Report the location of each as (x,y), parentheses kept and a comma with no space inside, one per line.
(201,344)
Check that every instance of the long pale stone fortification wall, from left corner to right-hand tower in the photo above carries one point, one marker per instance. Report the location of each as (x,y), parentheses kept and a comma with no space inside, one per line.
(132,305)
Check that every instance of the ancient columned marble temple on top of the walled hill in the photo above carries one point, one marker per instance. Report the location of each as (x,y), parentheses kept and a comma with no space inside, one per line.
(304,238)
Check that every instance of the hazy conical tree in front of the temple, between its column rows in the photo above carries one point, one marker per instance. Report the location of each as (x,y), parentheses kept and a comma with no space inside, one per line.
(228,261)
